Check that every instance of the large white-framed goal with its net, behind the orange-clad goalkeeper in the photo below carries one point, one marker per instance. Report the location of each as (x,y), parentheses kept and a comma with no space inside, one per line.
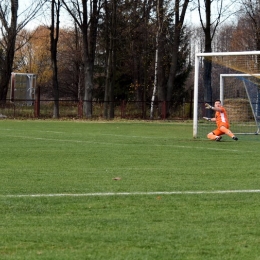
(235,80)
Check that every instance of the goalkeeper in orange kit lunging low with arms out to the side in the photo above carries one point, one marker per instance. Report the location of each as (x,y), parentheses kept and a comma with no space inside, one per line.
(221,120)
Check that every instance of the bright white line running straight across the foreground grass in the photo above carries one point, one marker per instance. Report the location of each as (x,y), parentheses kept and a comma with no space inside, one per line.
(105,194)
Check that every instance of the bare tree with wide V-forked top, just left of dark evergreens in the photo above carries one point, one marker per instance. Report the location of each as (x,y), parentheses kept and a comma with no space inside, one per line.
(86,16)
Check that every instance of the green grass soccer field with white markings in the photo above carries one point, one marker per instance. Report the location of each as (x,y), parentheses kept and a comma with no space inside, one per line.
(126,190)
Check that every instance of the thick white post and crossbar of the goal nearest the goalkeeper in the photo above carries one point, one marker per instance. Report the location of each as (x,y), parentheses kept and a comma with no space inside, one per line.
(196,81)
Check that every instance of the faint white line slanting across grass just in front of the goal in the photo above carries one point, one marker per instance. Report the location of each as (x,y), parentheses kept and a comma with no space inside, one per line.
(109,143)
